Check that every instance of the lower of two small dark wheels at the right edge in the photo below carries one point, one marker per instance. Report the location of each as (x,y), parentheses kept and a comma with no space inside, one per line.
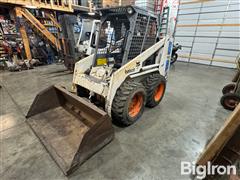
(230,101)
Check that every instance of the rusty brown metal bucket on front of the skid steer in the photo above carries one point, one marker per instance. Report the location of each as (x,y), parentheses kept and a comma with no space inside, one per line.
(70,128)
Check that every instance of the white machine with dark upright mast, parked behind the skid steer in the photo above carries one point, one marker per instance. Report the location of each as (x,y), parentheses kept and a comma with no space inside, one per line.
(77,44)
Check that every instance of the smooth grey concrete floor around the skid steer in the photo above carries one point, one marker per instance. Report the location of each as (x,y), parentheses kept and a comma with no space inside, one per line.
(177,130)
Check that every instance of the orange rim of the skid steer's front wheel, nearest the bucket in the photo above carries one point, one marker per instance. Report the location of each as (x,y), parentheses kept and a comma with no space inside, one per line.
(135,105)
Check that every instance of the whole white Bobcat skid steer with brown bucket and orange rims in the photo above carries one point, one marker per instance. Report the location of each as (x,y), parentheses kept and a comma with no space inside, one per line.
(127,72)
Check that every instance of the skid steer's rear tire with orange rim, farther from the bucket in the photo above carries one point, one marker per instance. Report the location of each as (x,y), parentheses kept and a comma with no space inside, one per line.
(152,83)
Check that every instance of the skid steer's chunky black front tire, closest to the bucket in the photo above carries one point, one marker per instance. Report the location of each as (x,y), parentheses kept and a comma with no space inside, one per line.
(121,111)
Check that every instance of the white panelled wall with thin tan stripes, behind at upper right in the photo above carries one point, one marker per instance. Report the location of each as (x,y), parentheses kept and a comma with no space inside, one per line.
(209,31)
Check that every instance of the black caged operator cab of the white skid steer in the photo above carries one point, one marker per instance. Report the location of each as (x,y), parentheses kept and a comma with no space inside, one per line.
(125,32)
